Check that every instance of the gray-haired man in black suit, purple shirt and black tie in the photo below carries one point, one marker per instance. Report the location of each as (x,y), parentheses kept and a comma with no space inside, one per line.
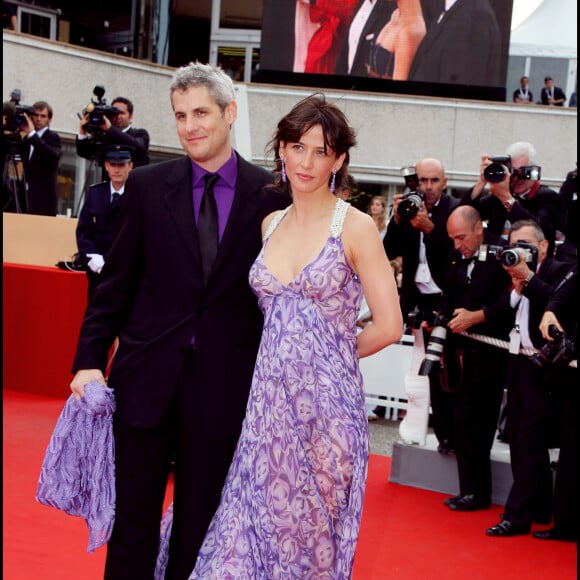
(188,338)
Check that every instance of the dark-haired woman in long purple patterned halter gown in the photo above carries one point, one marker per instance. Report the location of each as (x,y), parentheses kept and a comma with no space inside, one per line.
(292,502)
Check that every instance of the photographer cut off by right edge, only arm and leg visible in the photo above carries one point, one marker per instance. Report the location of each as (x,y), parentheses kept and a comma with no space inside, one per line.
(563,306)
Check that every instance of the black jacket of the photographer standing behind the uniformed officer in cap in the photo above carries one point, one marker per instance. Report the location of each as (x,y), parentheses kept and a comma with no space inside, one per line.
(136,139)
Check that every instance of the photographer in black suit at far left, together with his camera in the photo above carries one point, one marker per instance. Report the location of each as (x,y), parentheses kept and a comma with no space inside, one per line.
(38,148)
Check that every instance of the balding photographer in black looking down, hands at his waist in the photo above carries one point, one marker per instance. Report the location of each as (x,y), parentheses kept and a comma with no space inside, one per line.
(476,301)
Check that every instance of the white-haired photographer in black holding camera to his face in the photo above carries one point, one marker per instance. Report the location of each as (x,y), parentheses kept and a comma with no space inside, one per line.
(517,195)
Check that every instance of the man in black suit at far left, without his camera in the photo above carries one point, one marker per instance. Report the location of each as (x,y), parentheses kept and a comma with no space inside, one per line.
(40,153)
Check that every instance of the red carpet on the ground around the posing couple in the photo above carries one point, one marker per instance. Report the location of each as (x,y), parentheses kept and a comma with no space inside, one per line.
(406,533)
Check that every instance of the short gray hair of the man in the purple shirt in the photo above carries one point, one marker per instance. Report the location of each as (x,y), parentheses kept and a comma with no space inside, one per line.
(195,74)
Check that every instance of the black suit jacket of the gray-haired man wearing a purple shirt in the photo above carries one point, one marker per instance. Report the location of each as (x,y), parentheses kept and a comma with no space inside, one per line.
(152,296)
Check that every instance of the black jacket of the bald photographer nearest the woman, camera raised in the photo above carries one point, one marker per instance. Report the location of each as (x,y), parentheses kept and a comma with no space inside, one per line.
(403,240)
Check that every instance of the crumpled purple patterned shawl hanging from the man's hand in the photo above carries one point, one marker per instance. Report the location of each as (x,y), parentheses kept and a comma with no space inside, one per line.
(78,471)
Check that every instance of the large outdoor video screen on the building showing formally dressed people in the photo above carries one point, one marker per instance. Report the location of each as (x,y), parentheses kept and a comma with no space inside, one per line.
(425,47)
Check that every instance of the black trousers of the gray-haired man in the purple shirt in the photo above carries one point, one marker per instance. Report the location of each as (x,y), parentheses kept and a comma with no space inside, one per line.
(142,462)
